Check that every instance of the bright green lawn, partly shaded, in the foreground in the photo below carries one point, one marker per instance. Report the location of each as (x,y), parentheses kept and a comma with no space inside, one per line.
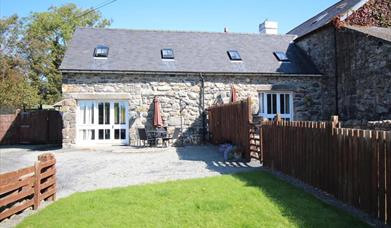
(255,199)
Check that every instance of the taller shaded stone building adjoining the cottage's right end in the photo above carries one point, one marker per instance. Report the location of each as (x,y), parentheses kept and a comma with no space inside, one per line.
(349,48)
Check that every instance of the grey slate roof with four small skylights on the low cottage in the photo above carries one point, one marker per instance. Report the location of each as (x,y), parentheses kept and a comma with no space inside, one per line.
(139,50)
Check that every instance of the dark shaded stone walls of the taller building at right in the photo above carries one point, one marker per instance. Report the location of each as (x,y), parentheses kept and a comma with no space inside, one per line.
(362,68)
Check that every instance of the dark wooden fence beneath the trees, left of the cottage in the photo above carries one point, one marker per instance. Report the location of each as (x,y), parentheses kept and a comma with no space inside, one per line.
(31,127)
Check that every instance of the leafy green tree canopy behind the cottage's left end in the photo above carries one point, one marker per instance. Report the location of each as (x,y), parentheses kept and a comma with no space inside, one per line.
(32,51)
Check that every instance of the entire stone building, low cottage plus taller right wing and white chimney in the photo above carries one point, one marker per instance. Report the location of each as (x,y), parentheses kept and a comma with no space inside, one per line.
(337,62)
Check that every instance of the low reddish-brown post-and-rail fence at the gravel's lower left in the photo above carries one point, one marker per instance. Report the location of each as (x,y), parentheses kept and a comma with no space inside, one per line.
(27,187)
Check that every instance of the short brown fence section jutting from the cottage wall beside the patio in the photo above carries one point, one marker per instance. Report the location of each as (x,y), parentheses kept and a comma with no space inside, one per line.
(230,123)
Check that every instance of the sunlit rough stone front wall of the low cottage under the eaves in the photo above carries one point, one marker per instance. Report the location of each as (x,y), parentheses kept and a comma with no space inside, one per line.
(175,91)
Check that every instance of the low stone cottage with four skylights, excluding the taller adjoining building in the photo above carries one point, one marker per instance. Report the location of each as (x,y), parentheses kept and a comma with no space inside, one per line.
(110,77)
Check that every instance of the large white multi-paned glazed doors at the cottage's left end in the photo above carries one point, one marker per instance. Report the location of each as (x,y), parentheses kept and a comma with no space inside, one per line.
(102,122)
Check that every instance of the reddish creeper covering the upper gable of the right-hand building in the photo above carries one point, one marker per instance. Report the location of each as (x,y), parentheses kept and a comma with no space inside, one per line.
(373,13)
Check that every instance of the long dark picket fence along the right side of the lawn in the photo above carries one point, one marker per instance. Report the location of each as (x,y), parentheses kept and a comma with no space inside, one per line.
(351,164)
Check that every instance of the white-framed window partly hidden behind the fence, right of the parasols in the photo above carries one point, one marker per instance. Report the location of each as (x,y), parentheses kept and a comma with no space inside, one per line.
(271,103)
